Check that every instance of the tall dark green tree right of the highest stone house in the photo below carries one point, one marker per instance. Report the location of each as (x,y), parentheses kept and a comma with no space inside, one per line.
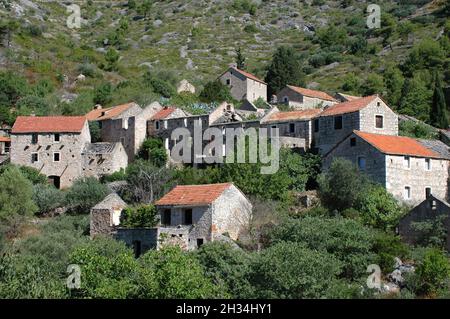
(285,68)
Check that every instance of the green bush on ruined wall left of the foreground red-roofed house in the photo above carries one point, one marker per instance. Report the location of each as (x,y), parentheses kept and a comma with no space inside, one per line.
(139,217)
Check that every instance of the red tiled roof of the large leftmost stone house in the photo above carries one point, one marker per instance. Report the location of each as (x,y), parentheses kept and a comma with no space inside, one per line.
(49,124)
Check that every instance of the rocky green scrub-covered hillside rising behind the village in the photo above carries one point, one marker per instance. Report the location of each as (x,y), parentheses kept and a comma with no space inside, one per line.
(197,39)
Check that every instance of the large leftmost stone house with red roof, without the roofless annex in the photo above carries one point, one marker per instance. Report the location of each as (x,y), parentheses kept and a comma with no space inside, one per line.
(51,144)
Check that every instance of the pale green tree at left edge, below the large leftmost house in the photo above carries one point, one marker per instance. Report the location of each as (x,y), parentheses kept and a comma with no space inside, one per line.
(16,195)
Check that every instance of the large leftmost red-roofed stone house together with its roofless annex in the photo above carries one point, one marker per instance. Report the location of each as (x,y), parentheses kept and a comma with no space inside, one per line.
(59,147)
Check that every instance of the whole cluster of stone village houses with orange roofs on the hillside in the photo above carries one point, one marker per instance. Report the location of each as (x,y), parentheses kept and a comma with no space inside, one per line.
(363,130)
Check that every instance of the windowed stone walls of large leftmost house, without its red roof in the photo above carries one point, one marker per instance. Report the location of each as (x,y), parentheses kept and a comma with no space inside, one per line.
(69,147)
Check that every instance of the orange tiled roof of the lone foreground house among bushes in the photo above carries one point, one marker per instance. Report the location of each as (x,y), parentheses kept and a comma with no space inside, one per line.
(193,194)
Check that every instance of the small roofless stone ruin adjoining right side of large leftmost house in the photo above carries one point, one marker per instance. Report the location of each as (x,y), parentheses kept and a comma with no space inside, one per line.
(100,159)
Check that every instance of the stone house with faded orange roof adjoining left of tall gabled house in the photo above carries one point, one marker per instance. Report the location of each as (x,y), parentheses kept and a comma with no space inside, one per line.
(295,127)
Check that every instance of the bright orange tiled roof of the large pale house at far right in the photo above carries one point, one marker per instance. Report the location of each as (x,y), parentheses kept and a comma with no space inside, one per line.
(397,145)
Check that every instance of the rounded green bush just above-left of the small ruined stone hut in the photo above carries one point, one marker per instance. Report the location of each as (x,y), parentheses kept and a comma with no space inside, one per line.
(84,194)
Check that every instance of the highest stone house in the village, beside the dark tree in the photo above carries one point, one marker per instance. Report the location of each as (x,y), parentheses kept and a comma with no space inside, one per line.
(244,85)
